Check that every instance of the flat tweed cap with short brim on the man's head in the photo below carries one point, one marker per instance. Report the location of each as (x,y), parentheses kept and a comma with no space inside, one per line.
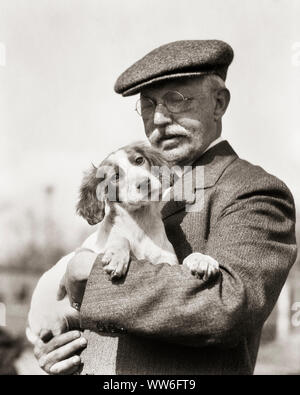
(176,60)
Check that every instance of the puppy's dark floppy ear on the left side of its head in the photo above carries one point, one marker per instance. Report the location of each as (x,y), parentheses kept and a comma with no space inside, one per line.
(91,205)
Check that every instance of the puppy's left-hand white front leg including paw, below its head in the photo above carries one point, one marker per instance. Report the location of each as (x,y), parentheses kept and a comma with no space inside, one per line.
(116,256)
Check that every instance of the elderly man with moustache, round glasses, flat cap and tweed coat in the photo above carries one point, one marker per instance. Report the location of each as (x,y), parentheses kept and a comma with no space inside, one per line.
(160,320)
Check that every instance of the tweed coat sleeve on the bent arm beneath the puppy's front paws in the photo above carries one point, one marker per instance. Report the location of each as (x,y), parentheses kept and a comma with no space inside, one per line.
(253,240)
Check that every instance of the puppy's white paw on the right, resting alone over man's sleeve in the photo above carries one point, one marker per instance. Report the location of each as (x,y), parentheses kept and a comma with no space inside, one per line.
(202,266)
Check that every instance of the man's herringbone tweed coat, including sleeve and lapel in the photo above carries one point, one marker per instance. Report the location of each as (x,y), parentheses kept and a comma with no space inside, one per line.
(162,320)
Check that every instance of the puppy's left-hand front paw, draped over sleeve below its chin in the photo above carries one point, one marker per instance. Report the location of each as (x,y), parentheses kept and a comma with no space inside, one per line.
(116,259)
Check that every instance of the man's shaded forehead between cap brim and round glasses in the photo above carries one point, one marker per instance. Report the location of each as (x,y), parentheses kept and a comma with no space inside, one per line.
(183,85)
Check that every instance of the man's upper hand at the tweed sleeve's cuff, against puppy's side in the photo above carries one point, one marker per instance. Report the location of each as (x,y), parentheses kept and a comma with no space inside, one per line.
(74,280)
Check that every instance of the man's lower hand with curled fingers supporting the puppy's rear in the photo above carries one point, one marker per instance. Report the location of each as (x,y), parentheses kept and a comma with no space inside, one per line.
(58,355)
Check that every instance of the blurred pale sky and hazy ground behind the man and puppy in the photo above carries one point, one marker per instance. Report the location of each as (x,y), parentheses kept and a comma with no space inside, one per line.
(58,114)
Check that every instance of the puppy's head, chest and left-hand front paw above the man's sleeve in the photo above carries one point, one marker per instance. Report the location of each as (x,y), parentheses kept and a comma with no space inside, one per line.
(124,195)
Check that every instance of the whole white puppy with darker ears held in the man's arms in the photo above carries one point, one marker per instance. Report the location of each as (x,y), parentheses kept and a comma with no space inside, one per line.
(124,196)
